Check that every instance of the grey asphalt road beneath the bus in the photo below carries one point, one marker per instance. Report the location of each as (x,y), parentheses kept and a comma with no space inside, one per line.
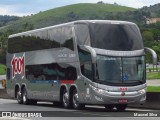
(48,111)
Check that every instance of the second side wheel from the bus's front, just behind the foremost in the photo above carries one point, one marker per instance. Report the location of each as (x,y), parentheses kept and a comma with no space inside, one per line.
(66,101)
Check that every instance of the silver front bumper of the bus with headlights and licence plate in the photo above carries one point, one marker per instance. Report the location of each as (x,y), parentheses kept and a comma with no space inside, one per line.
(100,96)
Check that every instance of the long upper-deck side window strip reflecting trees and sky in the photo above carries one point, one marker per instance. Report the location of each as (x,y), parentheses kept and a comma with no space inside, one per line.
(53,38)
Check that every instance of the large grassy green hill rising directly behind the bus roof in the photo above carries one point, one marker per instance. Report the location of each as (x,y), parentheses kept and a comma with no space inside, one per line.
(66,14)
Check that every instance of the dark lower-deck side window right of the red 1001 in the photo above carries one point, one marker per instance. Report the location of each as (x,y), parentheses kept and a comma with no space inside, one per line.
(51,72)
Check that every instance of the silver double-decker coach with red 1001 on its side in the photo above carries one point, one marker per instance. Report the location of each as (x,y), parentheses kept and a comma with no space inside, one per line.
(83,62)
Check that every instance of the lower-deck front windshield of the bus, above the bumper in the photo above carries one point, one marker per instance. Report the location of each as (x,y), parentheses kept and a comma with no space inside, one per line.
(120,69)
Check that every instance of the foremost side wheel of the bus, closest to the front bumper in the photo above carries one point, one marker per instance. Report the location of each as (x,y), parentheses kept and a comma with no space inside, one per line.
(76,104)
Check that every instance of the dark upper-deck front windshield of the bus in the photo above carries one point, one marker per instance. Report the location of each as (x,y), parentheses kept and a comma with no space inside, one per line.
(122,37)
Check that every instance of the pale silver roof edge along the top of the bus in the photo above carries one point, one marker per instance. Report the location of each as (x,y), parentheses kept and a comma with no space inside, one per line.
(71,24)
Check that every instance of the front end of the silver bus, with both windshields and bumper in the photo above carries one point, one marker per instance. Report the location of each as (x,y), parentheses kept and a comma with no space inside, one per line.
(112,56)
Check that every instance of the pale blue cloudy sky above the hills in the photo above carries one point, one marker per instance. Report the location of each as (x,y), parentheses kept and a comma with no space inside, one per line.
(28,7)
